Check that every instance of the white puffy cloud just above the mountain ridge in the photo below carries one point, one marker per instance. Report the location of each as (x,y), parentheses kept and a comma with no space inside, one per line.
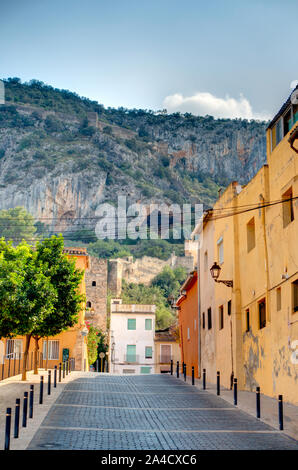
(206,103)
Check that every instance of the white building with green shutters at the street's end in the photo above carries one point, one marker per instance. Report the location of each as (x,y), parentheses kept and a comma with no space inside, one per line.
(132,331)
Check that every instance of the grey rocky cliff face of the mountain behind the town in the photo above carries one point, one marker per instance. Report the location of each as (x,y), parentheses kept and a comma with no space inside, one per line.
(60,166)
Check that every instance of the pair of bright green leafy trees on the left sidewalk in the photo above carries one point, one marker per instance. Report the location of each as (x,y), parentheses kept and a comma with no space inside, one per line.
(39,291)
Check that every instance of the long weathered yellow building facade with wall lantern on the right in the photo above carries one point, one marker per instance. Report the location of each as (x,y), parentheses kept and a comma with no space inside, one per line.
(250,331)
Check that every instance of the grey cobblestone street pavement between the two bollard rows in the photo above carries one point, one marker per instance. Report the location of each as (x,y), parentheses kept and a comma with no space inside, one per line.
(156,412)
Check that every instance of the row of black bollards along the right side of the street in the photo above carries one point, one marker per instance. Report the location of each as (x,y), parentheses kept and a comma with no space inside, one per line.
(235,391)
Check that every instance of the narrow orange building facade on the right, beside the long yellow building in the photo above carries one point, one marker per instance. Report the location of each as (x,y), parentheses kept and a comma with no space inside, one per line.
(187,305)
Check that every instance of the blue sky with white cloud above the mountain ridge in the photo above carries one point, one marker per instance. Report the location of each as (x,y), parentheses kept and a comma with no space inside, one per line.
(221,57)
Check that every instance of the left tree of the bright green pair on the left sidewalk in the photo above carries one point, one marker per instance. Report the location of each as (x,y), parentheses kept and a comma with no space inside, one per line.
(26,293)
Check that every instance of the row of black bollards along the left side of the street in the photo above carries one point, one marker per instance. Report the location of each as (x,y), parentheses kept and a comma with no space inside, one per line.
(65,368)
